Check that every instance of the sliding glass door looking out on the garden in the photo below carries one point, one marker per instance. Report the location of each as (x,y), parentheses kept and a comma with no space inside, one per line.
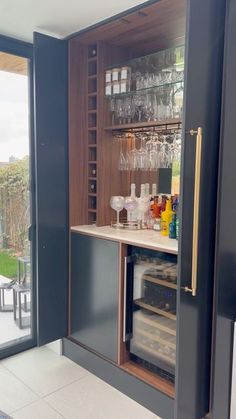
(16,201)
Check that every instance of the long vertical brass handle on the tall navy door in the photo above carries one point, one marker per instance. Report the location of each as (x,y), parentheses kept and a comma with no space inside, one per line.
(196,207)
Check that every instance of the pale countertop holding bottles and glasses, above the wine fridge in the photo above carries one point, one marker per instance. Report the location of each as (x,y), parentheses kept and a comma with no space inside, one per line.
(143,238)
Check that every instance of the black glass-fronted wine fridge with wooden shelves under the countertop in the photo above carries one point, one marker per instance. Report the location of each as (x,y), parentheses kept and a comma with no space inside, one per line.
(149,328)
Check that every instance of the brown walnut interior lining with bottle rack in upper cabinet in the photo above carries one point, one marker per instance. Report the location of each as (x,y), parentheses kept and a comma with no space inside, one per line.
(93,153)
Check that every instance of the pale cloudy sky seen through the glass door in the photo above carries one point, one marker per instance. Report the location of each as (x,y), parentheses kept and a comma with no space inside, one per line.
(14,129)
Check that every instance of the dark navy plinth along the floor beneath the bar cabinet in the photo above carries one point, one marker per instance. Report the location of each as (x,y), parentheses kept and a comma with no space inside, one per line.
(157,402)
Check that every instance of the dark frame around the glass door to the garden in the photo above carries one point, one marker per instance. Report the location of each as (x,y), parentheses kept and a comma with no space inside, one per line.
(25,50)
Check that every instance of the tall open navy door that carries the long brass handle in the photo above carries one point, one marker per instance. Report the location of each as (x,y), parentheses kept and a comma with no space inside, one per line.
(203,84)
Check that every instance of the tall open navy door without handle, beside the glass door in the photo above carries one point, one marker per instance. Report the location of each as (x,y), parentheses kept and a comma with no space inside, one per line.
(50,80)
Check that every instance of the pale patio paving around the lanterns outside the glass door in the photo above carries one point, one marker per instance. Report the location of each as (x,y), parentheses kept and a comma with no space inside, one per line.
(9,330)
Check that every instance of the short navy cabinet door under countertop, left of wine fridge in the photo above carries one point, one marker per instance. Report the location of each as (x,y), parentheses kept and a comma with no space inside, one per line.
(94,294)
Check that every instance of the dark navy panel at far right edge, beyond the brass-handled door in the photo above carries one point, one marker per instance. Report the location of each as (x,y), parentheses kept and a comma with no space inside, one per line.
(225,267)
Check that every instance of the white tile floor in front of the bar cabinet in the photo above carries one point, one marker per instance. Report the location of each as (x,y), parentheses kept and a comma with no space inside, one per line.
(39,384)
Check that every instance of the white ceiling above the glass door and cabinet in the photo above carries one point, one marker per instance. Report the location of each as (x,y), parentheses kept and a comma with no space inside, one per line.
(59,18)
